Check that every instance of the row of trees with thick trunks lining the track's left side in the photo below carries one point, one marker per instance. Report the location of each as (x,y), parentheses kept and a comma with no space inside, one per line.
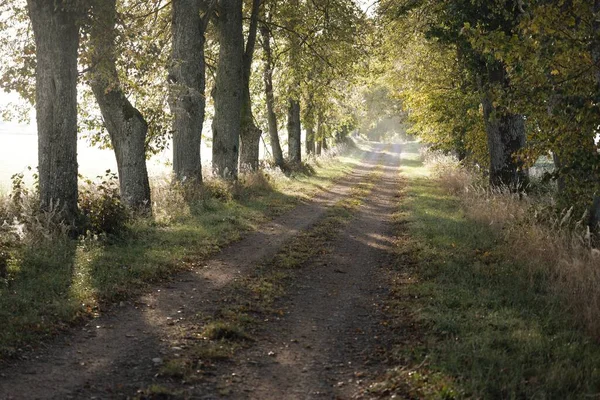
(134,74)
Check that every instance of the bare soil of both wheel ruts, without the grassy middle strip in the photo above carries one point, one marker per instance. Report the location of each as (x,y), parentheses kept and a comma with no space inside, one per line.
(328,343)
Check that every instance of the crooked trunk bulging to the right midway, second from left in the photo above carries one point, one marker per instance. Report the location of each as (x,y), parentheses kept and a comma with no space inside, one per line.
(125,124)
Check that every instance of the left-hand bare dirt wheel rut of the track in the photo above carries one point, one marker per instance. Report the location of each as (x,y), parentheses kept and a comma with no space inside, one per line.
(111,356)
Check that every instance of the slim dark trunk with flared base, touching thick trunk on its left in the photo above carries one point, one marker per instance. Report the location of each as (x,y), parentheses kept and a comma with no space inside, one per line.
(250,133)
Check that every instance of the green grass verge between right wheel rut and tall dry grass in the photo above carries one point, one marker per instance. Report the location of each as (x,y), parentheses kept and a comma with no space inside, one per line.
(470,323)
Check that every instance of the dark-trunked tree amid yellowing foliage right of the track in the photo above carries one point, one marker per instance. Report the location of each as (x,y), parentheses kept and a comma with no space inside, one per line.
(449,24)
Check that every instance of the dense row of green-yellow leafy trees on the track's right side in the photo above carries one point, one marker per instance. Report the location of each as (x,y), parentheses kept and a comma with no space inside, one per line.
(501,83)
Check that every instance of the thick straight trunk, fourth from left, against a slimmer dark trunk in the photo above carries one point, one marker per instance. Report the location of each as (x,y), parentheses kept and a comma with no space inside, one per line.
(228,90)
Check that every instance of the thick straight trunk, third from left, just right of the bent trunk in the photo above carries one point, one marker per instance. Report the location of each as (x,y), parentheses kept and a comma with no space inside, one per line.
(188,82)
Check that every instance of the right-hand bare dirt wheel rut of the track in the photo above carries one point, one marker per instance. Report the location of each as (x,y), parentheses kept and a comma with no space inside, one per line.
(330,341)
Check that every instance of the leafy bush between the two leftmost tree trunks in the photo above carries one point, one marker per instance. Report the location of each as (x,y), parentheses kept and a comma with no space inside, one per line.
(101,206)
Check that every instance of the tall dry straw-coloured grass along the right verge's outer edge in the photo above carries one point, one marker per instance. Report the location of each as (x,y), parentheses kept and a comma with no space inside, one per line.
(555,245)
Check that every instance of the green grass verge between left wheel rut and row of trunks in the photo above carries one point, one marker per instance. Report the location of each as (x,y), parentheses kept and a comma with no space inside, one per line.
(52,286)
